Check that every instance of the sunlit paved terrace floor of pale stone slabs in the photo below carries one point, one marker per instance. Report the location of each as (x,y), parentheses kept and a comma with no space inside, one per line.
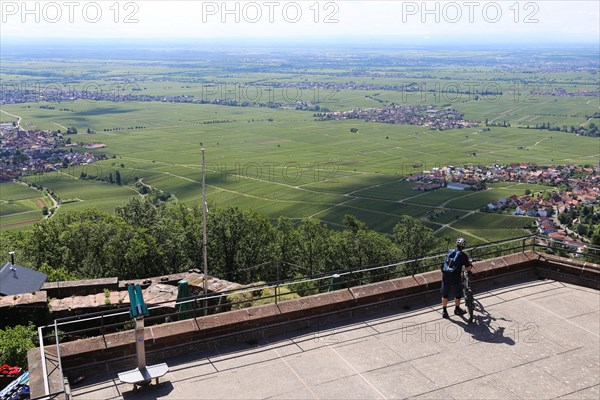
(532,339)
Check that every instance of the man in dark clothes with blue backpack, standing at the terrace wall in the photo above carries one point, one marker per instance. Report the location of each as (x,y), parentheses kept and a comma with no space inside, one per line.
(451,276)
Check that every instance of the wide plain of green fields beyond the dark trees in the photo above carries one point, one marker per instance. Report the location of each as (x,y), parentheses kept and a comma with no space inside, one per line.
(282,160)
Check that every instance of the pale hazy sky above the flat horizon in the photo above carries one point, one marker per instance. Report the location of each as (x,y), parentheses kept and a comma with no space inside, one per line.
(544,20)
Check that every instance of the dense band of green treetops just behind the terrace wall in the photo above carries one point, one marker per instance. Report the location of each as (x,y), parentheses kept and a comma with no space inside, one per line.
(143,239)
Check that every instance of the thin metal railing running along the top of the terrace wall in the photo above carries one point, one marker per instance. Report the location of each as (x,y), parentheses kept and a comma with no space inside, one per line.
(118,319)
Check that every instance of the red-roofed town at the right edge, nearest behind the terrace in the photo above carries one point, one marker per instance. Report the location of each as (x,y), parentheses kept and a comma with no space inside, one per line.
(556,211)
